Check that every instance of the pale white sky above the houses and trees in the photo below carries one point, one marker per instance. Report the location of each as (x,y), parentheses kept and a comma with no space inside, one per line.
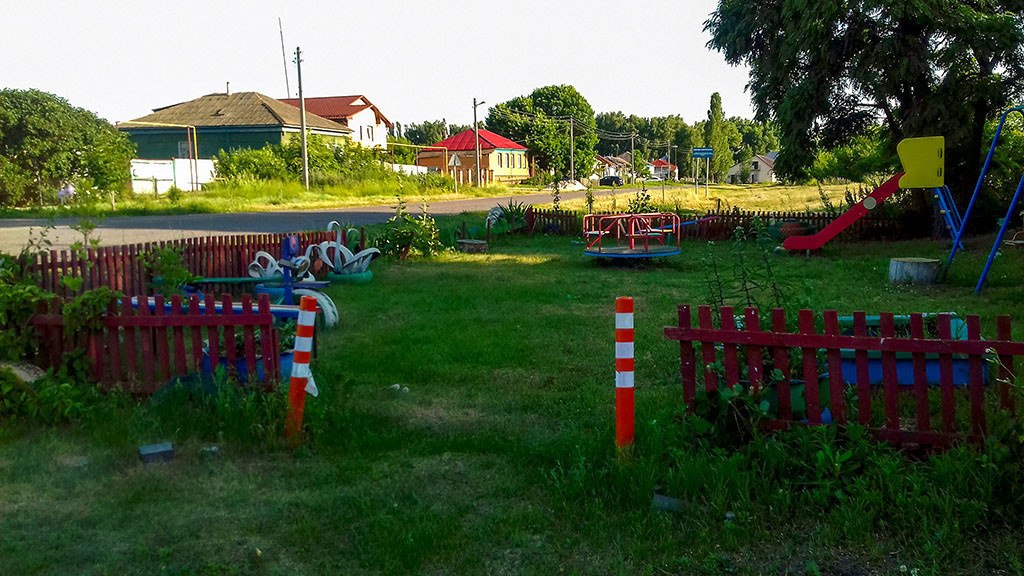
(416,60)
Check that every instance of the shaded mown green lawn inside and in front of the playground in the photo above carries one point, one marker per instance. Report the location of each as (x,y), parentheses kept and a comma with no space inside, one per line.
(499,460)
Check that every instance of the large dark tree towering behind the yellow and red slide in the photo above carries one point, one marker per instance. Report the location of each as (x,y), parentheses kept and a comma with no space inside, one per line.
(826,71)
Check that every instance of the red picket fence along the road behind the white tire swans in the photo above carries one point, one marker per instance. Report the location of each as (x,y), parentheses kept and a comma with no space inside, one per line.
(123,268)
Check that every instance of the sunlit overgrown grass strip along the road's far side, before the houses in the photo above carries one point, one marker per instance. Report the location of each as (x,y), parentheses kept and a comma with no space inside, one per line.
(261,196)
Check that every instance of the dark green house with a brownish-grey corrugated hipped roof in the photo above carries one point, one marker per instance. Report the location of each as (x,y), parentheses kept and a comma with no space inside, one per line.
(223,122)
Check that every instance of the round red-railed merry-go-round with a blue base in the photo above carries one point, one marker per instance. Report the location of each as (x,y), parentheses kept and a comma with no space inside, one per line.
(636,236)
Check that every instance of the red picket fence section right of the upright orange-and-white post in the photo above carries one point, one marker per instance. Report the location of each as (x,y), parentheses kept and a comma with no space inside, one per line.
(743,351)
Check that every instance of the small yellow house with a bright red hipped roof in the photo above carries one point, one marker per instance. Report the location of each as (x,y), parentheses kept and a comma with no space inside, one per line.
(501,159)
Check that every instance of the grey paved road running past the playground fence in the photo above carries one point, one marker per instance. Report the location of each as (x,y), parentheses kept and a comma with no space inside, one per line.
(130,230)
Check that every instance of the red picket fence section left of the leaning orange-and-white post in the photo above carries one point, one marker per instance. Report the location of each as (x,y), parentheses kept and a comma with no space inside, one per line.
(140,350)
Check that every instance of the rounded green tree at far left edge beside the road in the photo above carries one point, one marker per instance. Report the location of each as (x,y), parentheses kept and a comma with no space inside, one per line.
(46,141)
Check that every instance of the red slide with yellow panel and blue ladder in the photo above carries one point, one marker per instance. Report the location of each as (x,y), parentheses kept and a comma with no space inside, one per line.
(924,166)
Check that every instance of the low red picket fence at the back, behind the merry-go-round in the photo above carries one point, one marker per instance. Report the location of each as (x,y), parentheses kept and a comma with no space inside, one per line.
(727,222)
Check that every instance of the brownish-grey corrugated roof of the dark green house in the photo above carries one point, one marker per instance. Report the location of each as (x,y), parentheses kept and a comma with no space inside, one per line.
(240,109)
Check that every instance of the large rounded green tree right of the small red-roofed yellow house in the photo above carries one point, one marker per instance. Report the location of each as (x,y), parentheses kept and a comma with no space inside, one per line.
(541,121)
